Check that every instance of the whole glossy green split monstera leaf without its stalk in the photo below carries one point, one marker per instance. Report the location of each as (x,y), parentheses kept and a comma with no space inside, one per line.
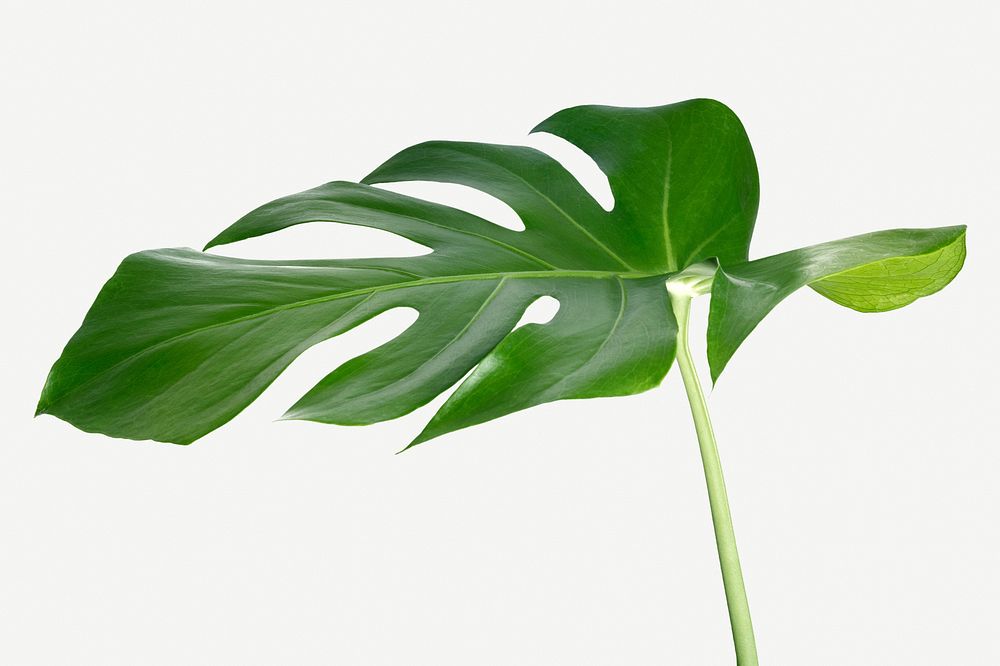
(179,341)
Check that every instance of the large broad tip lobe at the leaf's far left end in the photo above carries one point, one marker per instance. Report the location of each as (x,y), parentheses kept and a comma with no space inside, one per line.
(178,342)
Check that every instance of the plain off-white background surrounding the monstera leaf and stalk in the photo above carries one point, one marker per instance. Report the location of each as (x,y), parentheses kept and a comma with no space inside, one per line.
(861,450)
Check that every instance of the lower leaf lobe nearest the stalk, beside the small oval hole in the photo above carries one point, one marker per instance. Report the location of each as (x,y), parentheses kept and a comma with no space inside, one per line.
(611,337)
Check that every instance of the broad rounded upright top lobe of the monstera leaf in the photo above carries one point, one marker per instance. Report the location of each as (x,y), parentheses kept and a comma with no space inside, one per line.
(683,176)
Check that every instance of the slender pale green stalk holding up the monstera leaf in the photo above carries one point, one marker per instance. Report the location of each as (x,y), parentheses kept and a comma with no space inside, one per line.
(725,538)
